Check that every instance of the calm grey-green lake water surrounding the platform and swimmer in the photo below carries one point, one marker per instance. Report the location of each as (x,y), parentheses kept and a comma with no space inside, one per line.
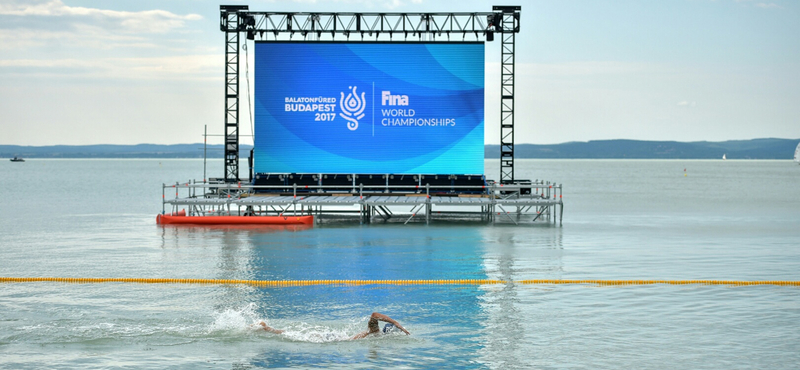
(623,219)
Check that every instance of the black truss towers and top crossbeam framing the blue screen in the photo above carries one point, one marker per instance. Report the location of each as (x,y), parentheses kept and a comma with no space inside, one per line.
(503,20)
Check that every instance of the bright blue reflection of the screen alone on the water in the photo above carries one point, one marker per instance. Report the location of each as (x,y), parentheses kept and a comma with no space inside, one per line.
(439,317)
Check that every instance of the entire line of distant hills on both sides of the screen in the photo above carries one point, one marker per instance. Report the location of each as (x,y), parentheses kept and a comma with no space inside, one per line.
(633,149)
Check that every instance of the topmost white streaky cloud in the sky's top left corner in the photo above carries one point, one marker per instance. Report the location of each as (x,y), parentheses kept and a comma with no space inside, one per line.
(52,30)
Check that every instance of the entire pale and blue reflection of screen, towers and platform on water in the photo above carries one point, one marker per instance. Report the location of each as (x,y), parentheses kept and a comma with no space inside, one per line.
(451,325)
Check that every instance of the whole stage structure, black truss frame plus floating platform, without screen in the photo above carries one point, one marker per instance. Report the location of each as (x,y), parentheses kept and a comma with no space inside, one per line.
(423,198)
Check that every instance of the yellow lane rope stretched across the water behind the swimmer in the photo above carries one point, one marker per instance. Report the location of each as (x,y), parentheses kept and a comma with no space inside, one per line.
(284,283)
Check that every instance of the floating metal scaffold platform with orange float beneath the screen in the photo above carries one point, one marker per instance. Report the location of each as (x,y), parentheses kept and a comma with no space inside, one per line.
(236,203)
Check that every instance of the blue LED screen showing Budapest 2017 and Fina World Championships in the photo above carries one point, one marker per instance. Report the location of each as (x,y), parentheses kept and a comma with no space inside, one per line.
(369,108)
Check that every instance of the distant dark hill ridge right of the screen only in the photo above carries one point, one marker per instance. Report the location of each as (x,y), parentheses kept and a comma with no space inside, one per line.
(634,149)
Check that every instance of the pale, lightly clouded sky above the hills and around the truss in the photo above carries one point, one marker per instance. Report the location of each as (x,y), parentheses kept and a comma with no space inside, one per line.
(128,72)
